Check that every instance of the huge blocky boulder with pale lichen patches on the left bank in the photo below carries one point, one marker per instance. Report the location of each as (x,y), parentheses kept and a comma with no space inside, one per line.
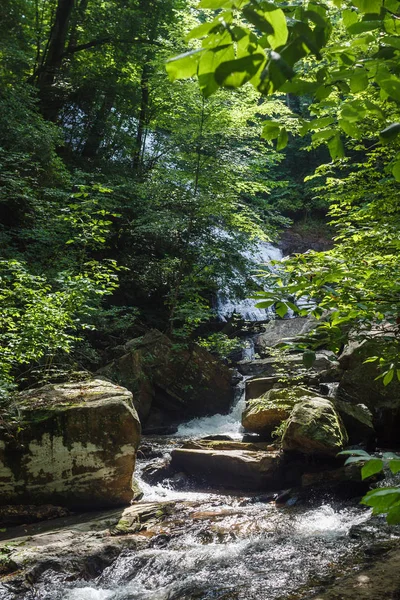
(75,447)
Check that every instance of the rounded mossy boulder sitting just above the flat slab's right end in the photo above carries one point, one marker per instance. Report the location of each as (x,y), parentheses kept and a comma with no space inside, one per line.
(315,427)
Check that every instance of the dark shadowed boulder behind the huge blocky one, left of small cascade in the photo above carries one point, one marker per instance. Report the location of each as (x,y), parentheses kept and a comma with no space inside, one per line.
(180,382)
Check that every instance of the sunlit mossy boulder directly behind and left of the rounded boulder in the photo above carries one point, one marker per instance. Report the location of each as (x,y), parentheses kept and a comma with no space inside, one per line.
(264,414)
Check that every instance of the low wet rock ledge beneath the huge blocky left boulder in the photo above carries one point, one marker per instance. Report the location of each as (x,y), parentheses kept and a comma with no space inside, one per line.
(78,544)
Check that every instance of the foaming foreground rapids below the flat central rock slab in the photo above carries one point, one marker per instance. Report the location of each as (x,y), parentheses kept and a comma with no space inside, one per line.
(257,552)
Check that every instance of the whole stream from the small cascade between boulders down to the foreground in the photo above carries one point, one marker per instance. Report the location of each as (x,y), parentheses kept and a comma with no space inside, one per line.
(220,546)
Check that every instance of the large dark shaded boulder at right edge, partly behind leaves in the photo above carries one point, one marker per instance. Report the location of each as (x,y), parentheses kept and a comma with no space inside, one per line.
(359,385)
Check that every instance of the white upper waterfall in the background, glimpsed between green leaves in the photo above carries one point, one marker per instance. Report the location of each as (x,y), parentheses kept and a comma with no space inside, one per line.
(262,255)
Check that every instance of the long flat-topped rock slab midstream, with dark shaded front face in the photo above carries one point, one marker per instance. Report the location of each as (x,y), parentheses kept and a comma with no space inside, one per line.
(237,469)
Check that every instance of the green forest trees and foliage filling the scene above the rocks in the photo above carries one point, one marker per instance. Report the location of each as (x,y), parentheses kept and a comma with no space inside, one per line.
(133,133)
